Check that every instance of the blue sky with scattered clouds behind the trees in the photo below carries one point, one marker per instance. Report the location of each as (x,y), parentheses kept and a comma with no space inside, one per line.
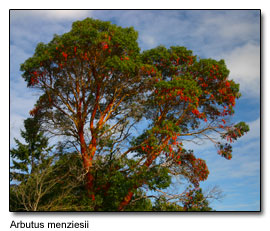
(219,34)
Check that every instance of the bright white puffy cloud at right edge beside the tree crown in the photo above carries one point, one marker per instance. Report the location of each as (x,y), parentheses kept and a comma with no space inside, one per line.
(244,65)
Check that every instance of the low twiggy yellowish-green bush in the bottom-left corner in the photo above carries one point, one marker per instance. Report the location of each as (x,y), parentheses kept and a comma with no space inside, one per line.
(52,186)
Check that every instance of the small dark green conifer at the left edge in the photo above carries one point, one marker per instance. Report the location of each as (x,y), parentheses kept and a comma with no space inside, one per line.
(28,160)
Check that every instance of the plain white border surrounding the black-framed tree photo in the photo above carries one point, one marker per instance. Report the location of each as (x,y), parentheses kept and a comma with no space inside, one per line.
(137,221)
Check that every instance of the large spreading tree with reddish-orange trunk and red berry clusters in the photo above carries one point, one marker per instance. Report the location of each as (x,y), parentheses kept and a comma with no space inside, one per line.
(97,90)
